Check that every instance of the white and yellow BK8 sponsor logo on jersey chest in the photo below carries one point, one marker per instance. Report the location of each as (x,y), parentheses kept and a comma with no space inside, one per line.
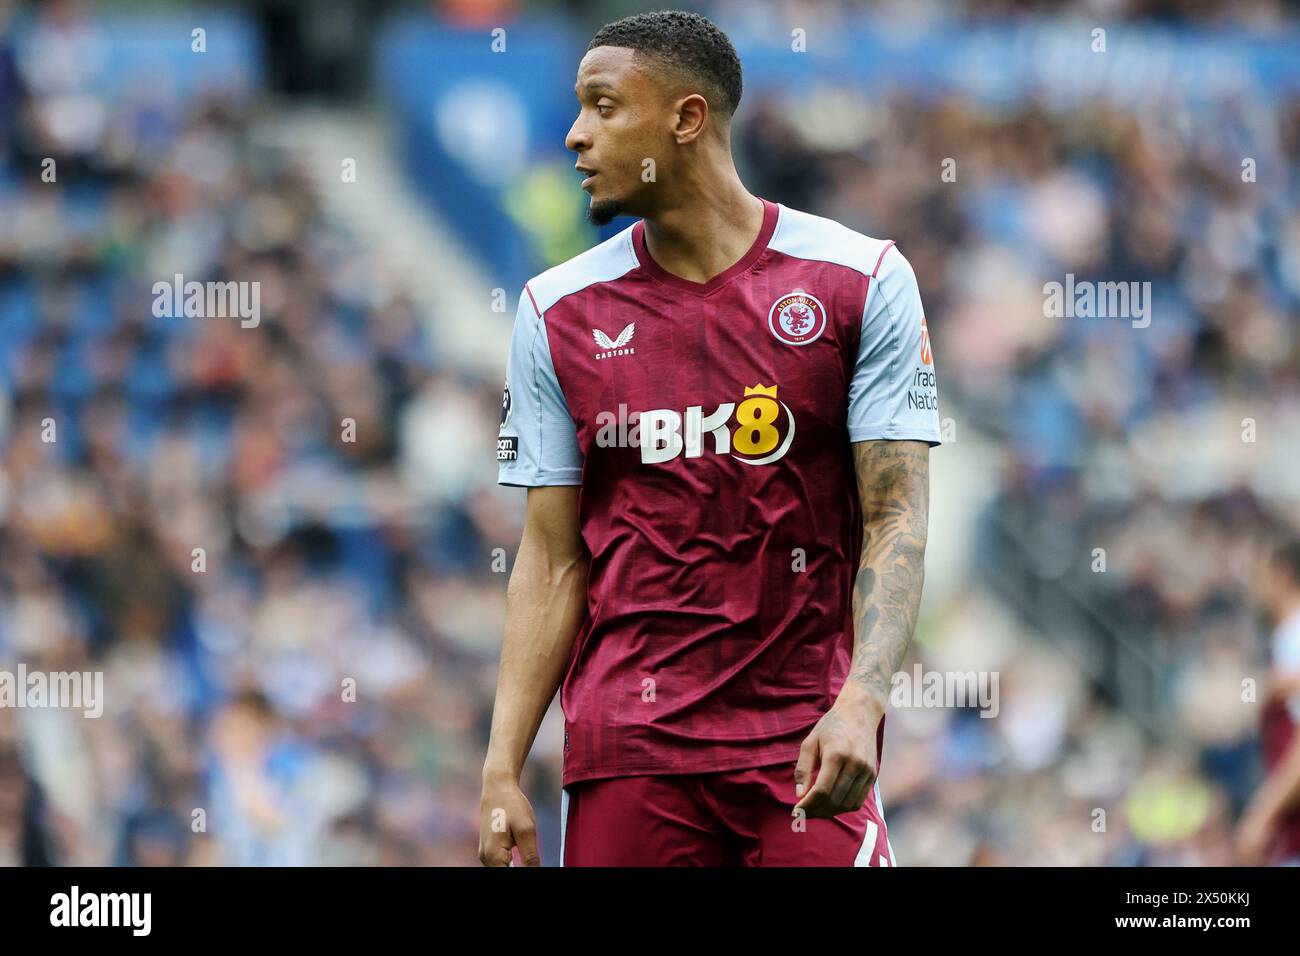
(759,431)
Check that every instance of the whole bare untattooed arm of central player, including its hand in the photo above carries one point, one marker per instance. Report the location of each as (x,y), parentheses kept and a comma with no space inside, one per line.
(545,603)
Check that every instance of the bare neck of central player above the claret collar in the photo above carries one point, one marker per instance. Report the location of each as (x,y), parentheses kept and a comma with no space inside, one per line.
(710,226)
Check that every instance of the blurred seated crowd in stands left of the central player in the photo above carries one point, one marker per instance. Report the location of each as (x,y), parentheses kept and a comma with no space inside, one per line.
(313,685)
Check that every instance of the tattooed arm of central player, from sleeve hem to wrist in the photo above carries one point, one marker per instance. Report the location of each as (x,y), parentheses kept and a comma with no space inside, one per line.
(894,487)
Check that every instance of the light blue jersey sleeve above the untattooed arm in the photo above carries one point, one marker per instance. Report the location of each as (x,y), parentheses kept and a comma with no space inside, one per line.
(538,443)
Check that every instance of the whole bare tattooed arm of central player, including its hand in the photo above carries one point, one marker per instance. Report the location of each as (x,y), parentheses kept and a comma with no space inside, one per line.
(894,487)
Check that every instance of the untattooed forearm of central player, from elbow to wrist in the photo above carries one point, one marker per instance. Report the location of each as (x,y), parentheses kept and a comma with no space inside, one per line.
(545,604)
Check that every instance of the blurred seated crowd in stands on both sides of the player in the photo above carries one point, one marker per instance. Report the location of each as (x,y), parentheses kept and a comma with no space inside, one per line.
(314,685)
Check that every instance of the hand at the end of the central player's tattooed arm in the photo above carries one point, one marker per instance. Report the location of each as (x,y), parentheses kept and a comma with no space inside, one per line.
(843,749)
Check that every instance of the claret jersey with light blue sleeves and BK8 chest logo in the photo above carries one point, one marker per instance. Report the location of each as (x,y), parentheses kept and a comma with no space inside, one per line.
(709,426)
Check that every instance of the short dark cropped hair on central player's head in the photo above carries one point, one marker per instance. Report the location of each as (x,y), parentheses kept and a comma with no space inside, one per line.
(686,42)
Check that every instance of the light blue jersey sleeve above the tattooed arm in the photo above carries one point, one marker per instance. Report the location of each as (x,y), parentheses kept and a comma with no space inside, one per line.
(894,393)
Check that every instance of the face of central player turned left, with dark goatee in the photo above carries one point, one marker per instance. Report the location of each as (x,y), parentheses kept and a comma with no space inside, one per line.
(625,119)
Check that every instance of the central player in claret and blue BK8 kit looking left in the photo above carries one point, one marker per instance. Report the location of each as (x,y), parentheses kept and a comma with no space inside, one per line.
(723,417)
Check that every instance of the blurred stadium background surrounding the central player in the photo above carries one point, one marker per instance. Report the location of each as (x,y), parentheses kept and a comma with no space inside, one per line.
(388,301)
